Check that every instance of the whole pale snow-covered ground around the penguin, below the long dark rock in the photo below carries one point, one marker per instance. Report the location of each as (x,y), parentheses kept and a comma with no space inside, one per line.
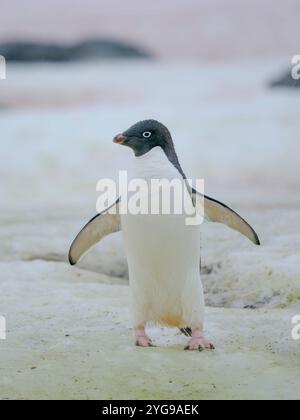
(68,327)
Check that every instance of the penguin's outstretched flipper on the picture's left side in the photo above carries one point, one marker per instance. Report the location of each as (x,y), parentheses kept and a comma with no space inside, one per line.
(98,227)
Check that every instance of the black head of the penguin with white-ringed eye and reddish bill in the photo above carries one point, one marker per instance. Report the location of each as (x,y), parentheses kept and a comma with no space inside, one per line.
(145,135)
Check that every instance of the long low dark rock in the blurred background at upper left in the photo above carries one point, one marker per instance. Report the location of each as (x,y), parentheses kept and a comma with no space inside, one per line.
(85,50)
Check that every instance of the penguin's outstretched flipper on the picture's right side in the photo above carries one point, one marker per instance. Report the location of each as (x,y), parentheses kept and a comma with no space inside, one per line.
(215,211)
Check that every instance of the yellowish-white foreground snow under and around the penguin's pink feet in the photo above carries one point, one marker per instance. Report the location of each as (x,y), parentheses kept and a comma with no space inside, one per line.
(69,336)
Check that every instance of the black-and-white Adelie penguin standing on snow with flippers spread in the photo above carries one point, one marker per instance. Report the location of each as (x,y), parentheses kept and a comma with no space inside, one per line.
(163,252)
